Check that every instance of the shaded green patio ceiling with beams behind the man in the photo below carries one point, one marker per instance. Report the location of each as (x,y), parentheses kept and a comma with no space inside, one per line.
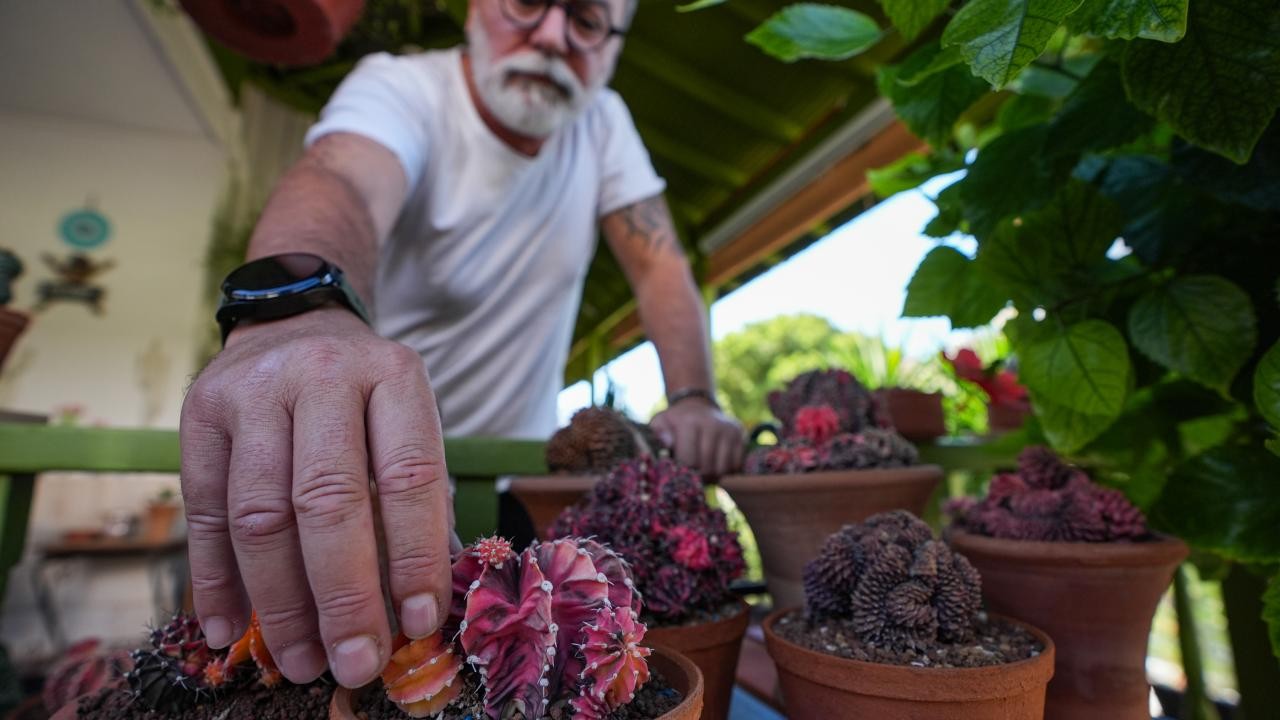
(760,157)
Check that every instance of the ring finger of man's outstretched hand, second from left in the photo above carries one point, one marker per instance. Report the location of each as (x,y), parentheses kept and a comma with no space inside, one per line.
(267,537)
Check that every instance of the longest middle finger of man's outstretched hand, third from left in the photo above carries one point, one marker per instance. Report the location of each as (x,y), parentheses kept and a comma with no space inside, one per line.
(336,526)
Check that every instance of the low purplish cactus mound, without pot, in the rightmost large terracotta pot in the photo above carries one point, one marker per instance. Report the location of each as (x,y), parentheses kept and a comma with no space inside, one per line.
(1052,502)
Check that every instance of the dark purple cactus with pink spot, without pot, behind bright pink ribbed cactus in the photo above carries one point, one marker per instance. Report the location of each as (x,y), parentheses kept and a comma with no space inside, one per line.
(655,514)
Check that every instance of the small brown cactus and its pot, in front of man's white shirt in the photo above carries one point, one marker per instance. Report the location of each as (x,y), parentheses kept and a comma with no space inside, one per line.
(578,455)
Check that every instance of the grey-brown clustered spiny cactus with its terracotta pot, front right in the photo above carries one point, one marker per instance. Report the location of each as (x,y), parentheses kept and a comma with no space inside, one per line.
(893,630)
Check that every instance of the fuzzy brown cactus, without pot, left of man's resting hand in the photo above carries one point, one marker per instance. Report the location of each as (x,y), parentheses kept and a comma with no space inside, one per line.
(596,440)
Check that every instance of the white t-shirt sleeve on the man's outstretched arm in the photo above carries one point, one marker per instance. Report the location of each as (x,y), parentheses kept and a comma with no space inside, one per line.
(385,101)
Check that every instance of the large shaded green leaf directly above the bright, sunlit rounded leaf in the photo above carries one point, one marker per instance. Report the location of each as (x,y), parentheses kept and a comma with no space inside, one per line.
(1054,253)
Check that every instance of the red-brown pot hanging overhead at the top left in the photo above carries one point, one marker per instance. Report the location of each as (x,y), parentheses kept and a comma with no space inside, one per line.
(286,33)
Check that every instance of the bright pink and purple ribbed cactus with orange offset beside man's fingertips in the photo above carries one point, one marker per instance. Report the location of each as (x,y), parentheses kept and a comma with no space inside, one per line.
(527,623)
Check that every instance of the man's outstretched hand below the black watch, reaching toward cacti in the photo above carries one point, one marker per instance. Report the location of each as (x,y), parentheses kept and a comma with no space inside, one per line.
(280,439)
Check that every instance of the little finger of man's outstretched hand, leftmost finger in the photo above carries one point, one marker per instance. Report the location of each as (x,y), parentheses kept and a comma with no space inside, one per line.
(220,596)
